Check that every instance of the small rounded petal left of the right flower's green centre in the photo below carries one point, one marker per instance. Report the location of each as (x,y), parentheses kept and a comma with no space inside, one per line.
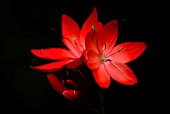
(92,60)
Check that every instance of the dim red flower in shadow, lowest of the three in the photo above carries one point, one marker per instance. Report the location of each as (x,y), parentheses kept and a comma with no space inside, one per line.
(72,86)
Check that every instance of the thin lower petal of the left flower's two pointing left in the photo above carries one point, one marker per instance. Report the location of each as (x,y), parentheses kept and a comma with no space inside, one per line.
(51,67)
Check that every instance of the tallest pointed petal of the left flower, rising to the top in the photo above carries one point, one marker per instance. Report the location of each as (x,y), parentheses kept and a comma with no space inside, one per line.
(87,26)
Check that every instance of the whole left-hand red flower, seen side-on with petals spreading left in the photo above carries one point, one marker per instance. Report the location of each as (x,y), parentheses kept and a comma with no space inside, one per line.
(74,39)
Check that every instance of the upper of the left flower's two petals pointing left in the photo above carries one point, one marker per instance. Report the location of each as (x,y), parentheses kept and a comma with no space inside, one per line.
(52,53)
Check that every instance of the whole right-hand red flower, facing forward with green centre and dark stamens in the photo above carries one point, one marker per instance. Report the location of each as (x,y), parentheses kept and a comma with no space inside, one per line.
(105,60)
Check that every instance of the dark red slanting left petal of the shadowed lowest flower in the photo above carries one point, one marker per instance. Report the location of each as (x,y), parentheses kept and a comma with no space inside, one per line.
(56,83)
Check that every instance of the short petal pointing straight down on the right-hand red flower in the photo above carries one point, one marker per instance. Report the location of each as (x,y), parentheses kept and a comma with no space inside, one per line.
(102,77)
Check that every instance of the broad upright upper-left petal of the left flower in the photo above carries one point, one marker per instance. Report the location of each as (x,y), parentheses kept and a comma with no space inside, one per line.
(69,27)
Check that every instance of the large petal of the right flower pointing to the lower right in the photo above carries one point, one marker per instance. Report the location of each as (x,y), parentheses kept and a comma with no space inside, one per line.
(120,72)
